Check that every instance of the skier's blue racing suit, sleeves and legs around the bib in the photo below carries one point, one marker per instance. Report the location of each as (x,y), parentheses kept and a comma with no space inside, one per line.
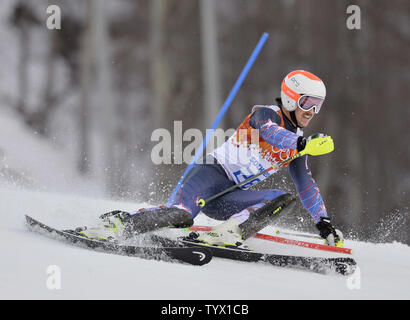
(212,177)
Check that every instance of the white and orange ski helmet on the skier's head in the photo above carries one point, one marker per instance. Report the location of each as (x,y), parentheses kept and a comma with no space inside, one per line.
(300,83)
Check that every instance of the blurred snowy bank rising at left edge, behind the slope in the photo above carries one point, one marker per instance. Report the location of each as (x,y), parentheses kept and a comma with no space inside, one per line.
(31,161)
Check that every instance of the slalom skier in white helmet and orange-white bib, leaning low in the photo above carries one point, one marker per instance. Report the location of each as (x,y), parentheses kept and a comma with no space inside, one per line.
(244,212)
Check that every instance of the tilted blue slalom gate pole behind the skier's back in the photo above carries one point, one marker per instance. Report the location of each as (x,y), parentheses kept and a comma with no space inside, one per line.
(223,110)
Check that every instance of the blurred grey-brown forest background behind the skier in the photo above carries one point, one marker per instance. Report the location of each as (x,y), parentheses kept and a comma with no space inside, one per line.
(117,70)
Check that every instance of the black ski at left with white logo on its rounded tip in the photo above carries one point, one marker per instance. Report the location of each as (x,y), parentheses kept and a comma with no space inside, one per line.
(190,255)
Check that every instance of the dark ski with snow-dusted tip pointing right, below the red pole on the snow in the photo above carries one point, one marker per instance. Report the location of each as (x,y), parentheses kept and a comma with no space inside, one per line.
(342,266)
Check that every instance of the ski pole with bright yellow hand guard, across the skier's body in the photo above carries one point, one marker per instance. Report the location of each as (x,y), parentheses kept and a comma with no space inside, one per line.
(315,147)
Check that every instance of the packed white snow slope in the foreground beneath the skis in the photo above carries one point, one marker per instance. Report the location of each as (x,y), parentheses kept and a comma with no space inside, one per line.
(85,274)
